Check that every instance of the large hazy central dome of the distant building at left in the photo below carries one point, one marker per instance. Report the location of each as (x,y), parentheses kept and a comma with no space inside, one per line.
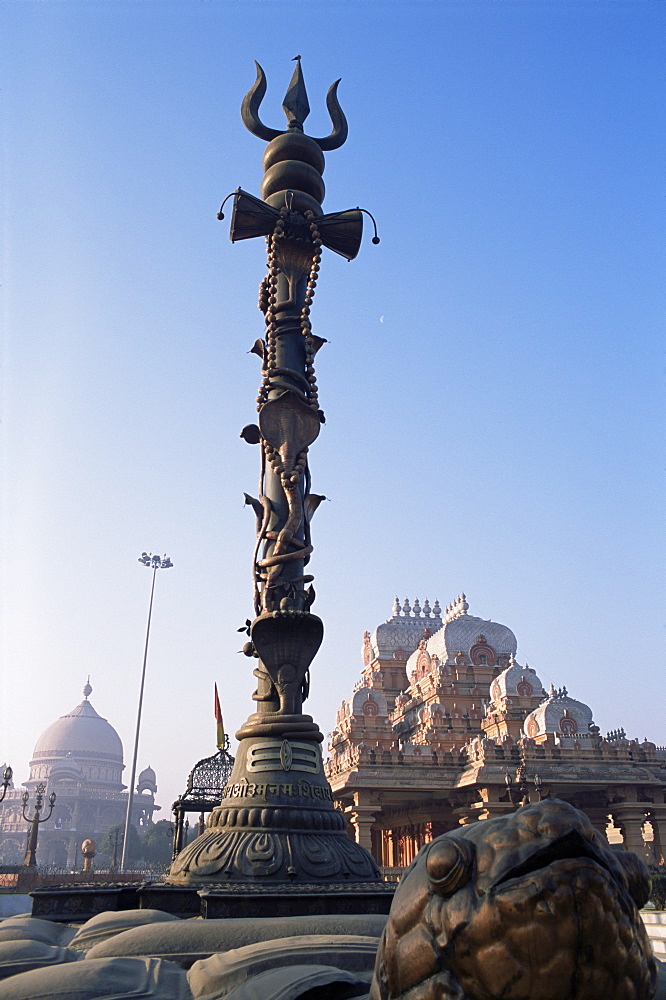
(81,732)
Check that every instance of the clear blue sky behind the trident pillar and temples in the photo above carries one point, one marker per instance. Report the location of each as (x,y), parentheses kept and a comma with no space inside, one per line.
(493,378)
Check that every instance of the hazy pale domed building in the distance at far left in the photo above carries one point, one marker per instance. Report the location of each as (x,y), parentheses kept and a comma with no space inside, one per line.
(80,758)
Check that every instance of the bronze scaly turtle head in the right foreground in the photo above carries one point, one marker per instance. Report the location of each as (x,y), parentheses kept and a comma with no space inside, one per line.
(532,905)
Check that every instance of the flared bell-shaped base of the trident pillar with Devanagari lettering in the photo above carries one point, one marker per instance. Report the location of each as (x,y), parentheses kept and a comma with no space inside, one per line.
(276,822)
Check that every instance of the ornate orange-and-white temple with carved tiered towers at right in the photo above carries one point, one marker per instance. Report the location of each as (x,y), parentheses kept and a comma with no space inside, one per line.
(446,726)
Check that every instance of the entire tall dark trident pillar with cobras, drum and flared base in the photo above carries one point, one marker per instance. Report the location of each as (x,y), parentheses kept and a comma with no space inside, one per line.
(277,822)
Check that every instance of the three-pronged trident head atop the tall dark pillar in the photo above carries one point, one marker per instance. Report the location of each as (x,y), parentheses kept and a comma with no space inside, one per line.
(296,108)
